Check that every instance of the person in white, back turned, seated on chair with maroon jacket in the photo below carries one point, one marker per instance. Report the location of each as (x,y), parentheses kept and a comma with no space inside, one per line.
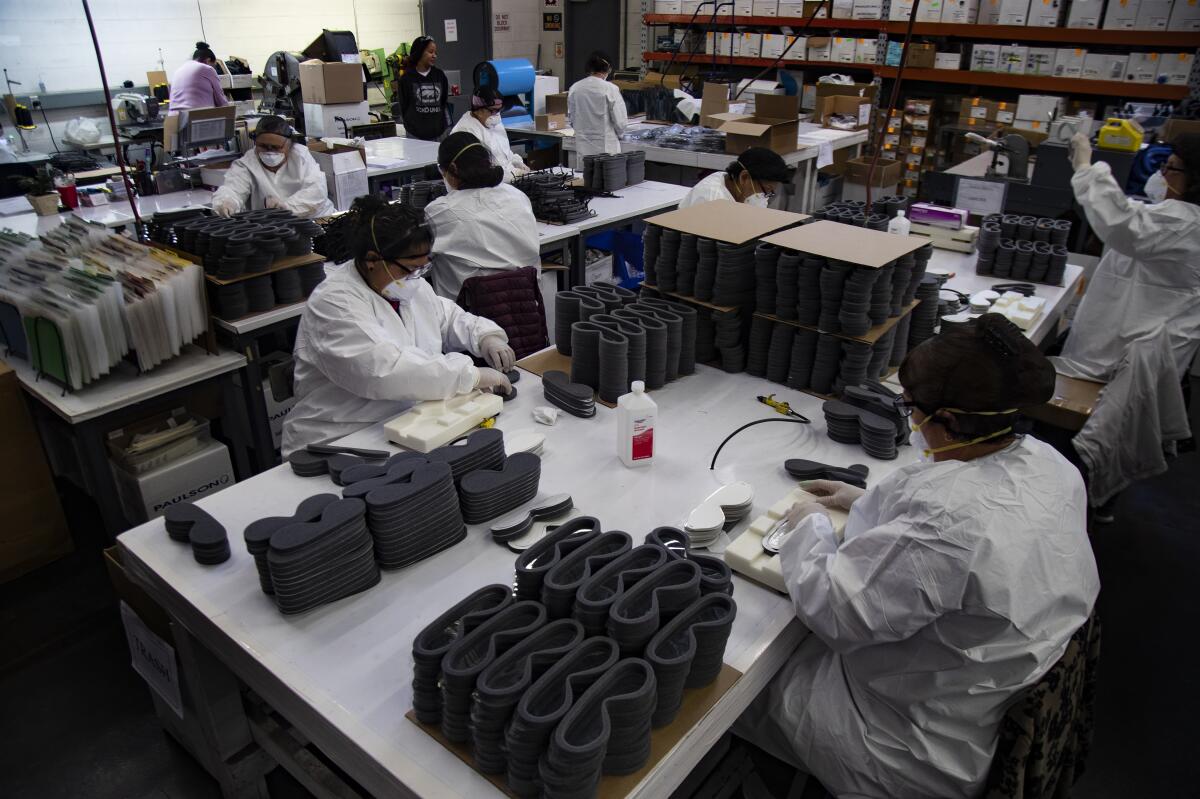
(483,225)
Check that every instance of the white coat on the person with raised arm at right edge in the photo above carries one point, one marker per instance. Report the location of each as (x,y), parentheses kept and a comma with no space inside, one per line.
(1149,278)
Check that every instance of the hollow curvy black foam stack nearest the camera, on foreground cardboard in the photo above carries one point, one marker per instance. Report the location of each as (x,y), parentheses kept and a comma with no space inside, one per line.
(608,731)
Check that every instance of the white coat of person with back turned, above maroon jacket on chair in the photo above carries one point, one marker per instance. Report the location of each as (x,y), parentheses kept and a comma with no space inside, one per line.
(481,230)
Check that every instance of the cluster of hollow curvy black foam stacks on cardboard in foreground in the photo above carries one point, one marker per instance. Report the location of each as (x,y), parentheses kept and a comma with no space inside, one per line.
(530,683)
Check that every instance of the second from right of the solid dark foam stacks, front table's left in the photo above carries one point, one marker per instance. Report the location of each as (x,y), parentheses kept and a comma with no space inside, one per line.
(417,519)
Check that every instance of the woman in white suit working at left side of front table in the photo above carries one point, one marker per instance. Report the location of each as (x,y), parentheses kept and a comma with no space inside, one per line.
(375,339)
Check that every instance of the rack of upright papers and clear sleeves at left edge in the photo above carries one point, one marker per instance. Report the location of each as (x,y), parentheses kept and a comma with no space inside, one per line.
(80,299)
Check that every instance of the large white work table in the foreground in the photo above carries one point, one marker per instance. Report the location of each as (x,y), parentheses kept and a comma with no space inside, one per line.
(343,674)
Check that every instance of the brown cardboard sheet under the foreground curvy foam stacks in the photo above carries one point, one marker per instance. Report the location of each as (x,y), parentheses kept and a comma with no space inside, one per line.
(697,705)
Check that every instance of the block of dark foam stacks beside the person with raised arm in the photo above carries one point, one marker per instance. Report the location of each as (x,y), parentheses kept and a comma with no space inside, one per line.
(1023,248)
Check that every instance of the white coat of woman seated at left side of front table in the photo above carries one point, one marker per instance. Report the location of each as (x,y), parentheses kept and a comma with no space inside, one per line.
(359,363)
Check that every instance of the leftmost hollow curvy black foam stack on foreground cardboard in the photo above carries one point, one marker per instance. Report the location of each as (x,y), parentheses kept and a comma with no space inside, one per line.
(436,640)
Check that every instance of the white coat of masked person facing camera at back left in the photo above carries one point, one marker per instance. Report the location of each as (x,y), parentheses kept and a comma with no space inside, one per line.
(299,184)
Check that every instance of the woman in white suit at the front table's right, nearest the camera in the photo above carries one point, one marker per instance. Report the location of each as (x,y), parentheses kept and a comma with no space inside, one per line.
(958,584)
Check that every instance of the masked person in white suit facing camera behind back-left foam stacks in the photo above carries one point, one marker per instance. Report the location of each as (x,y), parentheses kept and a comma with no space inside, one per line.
(278,173)
